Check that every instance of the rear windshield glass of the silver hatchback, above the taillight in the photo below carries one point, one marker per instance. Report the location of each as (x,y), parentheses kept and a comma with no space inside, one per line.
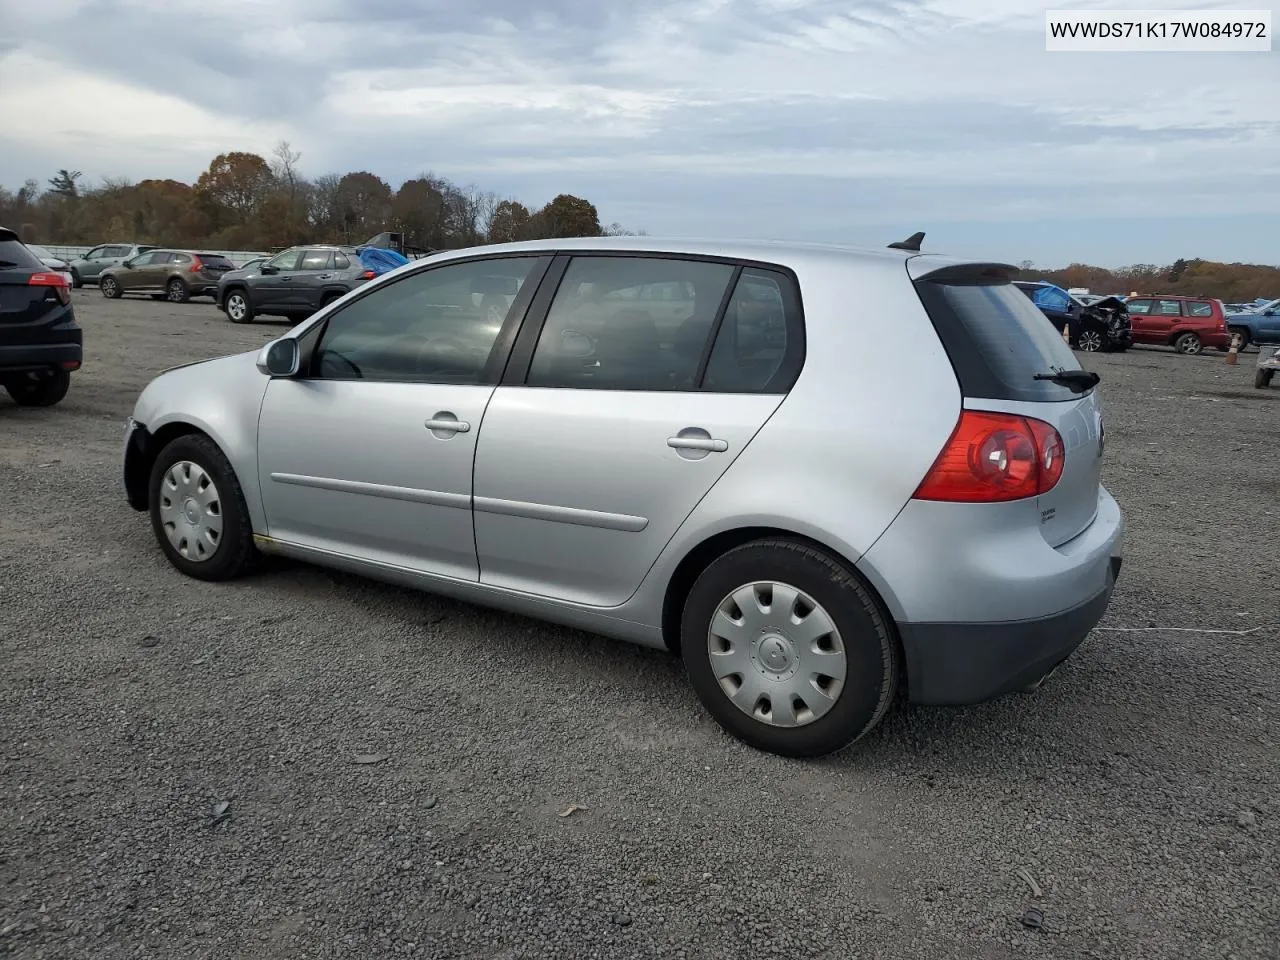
(998,341)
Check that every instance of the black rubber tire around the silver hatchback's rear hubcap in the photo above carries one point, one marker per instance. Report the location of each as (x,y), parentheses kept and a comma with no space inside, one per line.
(866,632)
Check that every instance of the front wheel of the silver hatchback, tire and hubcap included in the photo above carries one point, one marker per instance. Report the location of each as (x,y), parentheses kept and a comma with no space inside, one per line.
(198,511)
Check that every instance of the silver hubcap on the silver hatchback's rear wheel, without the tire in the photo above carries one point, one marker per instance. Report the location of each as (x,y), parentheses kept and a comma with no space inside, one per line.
(778,655)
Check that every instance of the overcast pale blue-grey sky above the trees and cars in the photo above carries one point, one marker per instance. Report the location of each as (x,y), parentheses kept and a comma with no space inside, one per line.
(852,121)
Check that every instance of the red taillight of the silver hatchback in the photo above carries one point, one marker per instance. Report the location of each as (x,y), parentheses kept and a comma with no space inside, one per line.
(995,458)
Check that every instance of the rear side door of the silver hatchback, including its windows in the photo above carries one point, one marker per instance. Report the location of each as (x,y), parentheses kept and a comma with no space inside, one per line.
(612,422)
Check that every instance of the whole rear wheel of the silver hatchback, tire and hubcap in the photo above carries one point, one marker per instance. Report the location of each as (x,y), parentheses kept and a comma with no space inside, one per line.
(788,650)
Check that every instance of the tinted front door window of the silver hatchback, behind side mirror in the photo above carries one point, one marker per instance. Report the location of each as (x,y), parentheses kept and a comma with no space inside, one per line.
(431,327)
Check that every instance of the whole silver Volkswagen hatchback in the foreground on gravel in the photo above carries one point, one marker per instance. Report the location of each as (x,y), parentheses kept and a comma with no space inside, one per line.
(703,447)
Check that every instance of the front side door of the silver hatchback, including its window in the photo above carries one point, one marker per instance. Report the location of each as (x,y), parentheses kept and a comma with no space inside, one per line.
(369,451)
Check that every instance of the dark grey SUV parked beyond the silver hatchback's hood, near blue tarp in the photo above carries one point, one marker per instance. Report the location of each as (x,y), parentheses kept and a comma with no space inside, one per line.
(294,284)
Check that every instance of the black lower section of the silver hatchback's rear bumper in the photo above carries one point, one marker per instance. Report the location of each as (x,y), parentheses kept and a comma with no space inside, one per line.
(968,664)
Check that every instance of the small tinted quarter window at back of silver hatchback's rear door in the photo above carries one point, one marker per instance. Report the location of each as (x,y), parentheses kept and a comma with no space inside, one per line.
(760,346)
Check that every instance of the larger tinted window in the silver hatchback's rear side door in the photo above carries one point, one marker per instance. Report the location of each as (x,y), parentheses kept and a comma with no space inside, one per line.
(629,324)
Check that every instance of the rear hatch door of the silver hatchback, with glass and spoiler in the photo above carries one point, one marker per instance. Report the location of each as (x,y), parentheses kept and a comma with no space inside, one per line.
(999,342)
